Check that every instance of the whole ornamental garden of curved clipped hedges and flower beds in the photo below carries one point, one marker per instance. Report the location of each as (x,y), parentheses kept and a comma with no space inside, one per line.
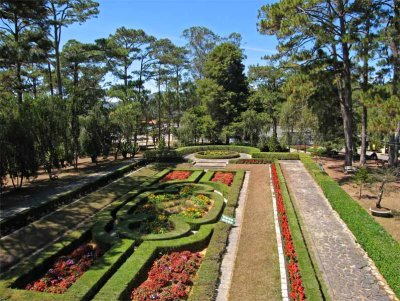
(172,217)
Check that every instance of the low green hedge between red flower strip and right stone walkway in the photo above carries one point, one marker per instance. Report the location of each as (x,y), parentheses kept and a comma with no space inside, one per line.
(312,280)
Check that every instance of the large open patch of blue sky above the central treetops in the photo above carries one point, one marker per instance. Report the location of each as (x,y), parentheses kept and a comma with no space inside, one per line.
(168,19)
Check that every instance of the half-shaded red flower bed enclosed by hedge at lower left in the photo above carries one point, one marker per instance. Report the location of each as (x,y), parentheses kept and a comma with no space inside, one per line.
(66,270)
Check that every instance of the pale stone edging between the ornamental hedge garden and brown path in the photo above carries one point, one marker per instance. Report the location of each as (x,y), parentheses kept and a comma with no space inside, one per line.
(228,260)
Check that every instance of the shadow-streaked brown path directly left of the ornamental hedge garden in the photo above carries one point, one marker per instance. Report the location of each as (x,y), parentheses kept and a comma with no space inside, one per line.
(34,236)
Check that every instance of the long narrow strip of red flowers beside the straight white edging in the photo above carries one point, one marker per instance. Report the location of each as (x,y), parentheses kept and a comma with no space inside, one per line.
(296,284)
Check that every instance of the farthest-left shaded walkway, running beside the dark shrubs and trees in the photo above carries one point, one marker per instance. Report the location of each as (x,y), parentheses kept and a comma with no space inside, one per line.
(28,197)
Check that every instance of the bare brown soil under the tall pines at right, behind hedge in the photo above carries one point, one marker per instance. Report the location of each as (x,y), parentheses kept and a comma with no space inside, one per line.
(391,196)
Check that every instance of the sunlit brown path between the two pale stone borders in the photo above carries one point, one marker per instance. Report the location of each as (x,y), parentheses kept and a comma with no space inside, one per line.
(256,272)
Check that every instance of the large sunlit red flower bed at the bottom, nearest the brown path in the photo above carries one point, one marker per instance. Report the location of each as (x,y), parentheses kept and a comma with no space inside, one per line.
(170,278)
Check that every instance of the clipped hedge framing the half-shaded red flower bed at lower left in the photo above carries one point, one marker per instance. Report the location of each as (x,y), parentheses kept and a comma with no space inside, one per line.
(83,289)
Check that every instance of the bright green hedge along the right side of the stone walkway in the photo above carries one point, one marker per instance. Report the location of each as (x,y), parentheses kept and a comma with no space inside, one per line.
(375,240)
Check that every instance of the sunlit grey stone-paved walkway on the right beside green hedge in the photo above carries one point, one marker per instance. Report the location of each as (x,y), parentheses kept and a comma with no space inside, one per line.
(344,265)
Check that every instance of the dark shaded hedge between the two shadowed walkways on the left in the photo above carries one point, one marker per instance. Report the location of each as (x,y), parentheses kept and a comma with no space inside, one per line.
(17,221)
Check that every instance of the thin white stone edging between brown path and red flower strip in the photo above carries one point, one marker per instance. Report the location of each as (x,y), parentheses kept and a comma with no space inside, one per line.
(282,264)
